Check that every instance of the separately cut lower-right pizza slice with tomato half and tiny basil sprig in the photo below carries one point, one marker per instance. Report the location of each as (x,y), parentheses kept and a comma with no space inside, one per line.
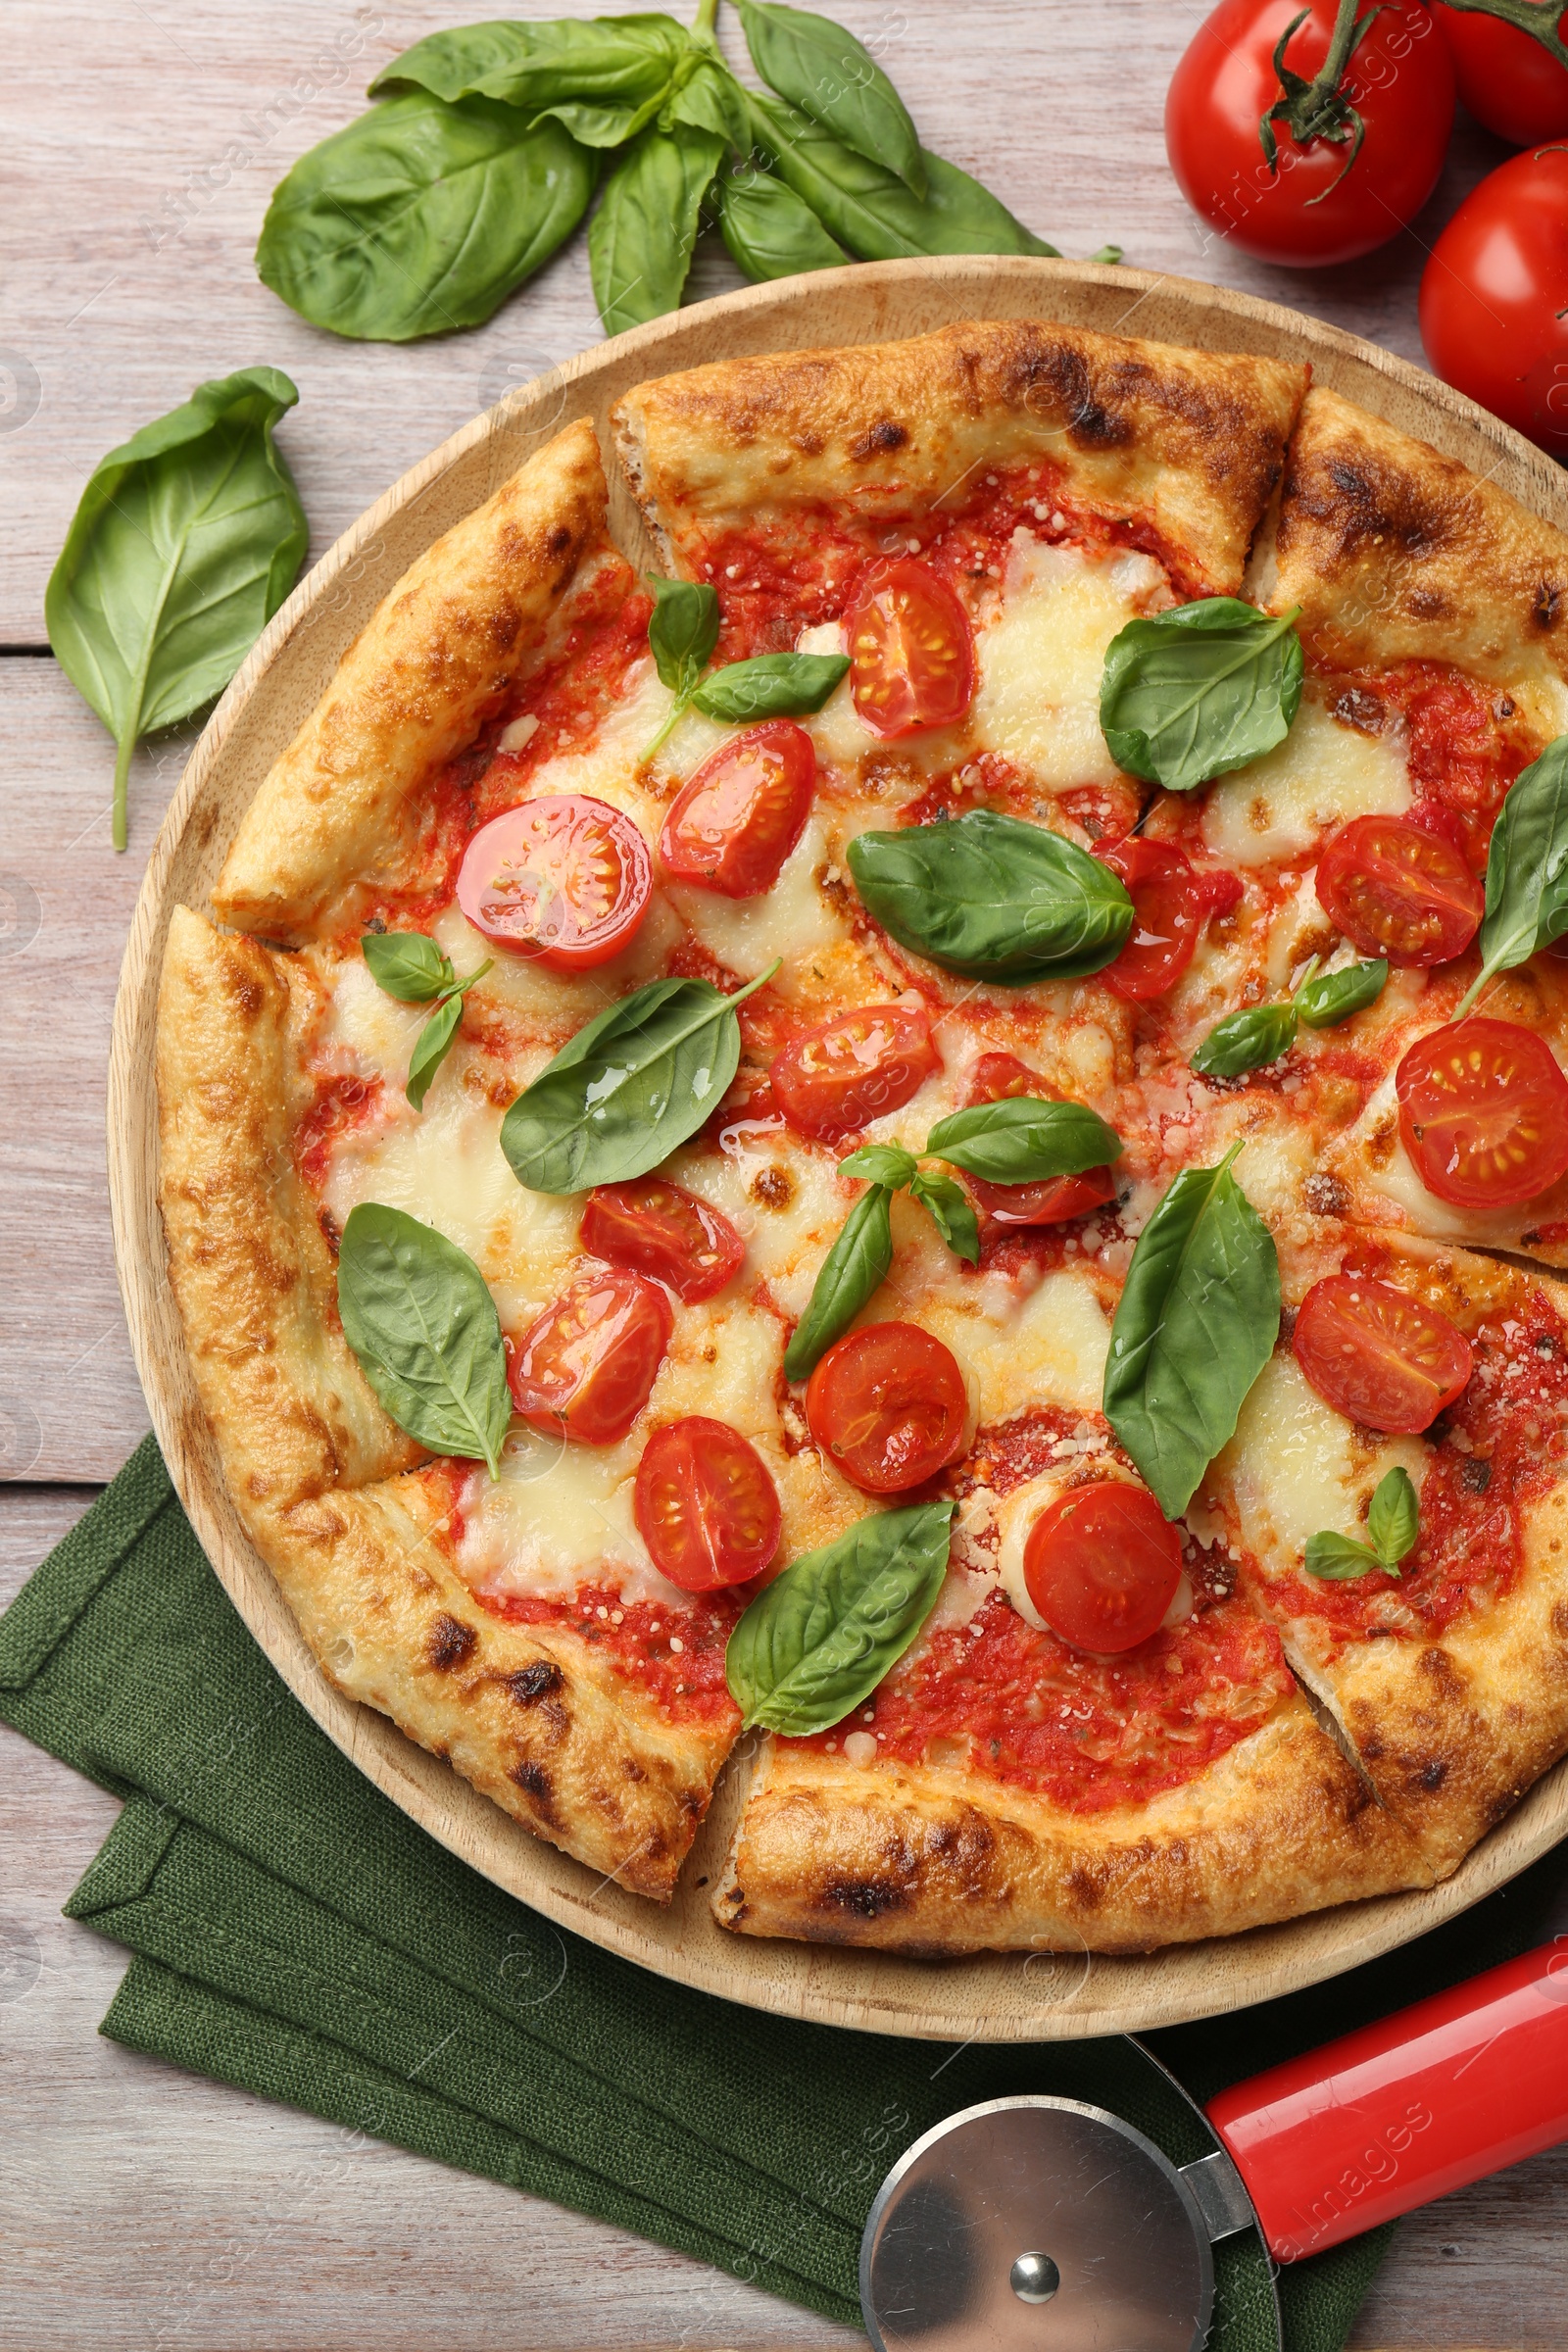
(1398,1502)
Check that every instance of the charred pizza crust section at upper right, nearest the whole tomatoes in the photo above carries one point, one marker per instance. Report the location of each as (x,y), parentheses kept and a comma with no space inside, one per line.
(1398,554)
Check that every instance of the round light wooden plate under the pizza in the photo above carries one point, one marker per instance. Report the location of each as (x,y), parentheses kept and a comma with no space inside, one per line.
(1000,1998)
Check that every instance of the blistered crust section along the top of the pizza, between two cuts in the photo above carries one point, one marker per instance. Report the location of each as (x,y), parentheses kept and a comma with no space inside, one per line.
(1188,443)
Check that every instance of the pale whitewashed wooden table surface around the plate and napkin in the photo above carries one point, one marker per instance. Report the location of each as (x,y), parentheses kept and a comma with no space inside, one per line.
(142,140)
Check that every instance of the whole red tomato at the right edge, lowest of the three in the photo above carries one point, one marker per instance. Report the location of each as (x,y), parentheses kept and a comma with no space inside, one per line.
(1494,295)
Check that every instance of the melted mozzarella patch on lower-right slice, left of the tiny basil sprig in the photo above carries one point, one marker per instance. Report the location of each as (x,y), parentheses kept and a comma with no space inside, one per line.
(1296,1466)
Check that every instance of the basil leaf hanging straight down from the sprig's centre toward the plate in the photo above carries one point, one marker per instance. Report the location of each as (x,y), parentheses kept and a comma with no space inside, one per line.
(645,229)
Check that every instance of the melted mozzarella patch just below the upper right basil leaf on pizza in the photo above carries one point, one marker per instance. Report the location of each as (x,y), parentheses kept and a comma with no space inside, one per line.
(1320,777)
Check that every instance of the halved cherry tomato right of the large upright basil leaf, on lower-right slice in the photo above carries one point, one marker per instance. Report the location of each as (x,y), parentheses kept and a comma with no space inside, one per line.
(1379,1356)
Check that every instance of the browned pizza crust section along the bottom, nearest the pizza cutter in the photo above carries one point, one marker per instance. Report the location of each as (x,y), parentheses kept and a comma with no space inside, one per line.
(939,1864)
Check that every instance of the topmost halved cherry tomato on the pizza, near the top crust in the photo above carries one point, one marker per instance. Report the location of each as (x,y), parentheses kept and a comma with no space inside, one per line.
(911,650)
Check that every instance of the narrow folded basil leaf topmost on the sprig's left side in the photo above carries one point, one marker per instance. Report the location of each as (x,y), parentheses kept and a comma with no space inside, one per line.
(537,65)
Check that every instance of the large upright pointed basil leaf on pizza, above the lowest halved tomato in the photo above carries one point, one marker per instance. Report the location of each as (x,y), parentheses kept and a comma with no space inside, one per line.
(1195,1328)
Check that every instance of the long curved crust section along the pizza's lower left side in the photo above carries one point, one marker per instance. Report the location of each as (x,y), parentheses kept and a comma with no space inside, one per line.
(311,1459)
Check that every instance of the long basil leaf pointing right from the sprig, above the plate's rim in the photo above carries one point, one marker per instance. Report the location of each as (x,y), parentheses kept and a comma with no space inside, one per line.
(871,211)
